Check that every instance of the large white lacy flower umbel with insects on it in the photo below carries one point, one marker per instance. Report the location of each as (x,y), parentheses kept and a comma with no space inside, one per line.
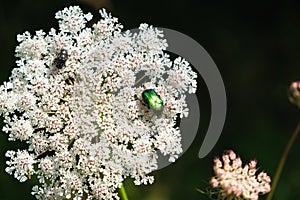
(76,99)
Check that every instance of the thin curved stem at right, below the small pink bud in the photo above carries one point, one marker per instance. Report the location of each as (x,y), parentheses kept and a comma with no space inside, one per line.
(282,161)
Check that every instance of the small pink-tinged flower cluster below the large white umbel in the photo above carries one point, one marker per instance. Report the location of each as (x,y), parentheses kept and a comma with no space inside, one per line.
(235,180)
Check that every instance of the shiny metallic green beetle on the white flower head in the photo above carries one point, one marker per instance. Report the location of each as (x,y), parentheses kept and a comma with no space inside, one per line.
(152,100)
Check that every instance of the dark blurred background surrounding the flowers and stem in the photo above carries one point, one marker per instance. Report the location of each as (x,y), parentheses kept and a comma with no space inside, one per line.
(255,45)
